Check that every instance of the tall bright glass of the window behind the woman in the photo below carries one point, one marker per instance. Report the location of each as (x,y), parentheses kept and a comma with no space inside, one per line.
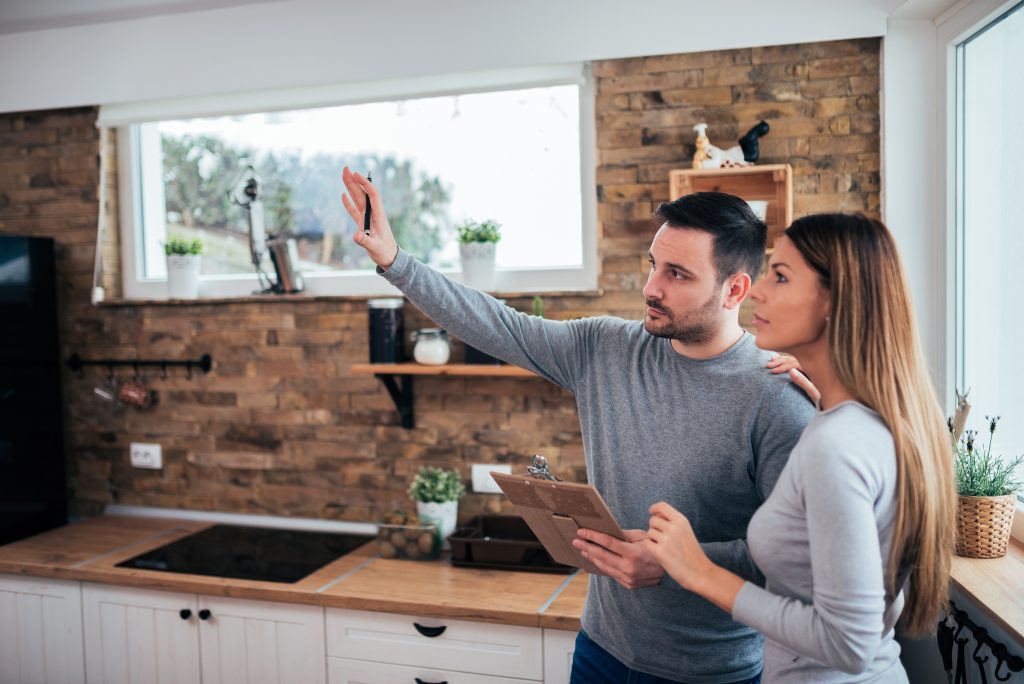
(991,227)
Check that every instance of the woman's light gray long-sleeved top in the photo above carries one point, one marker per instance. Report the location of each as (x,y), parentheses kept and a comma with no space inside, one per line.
(823,541)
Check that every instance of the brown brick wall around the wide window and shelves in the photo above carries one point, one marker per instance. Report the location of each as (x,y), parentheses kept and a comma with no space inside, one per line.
(281,426)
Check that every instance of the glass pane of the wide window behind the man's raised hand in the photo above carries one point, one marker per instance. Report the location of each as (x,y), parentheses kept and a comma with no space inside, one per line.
(510,156)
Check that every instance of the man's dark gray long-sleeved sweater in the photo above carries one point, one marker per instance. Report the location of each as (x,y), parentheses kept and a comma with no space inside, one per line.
(710,437)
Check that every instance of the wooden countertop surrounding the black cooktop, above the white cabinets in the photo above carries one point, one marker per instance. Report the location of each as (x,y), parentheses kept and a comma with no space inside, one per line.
(91,550)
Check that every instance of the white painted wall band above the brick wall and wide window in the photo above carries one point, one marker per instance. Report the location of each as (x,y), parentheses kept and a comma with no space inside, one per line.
(287,44)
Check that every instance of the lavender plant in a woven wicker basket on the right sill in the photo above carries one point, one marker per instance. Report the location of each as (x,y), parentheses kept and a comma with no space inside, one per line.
(988,491)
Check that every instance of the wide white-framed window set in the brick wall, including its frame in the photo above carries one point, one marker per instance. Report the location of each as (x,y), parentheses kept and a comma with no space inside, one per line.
(517,148)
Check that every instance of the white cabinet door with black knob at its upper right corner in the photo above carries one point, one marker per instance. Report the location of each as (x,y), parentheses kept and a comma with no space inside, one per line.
(138,635)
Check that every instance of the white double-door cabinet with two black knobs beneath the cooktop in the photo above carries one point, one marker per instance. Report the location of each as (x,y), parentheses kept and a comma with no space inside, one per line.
(139,635)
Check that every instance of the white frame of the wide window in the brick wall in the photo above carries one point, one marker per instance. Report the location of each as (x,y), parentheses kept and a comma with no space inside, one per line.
(140,203)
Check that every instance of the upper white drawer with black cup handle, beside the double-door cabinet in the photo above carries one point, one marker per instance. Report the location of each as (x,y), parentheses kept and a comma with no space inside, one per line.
(459,646)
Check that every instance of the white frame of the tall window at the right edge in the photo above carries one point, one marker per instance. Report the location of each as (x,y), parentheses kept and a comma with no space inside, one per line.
(954,28)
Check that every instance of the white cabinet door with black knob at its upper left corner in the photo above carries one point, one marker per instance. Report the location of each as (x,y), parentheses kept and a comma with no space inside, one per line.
(260,643)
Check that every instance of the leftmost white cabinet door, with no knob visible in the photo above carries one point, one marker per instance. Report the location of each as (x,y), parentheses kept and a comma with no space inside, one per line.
(40,631)
